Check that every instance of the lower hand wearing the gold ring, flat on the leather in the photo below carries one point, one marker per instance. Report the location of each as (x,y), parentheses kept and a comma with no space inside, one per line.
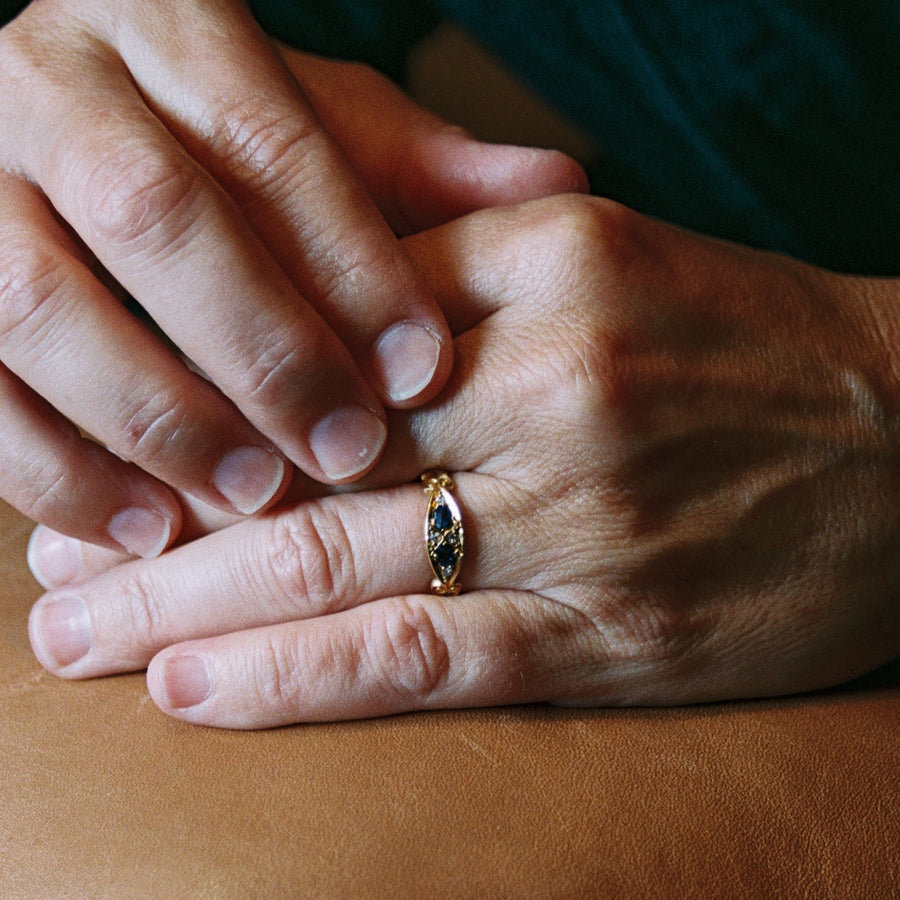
(677,461)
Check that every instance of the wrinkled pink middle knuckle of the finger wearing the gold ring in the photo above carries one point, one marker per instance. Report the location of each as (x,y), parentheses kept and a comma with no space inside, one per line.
(311,560)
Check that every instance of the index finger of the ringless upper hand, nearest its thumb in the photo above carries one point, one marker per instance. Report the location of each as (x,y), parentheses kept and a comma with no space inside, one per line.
(250,124)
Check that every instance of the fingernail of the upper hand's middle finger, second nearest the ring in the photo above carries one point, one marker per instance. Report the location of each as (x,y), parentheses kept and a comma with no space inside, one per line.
(347,441)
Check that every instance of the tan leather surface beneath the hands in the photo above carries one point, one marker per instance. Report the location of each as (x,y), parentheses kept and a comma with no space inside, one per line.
(103,796)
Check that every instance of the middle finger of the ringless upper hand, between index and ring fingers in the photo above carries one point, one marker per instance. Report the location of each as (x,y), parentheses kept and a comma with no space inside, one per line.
(173,239)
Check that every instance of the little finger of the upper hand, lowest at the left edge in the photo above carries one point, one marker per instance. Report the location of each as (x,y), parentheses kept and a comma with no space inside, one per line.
(53,474)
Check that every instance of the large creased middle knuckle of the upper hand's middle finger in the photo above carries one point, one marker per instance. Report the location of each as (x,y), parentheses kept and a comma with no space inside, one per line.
(141,199)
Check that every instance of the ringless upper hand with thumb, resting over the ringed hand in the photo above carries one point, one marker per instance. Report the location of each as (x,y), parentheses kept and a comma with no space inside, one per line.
(166,149)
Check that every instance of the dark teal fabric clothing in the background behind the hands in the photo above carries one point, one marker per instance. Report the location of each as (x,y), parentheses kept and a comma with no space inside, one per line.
(772,122)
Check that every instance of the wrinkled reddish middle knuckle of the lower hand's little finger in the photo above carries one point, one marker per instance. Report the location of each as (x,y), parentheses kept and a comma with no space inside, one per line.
(406,651)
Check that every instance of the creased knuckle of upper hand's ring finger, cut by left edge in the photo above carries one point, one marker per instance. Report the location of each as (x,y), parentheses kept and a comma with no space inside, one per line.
(31,279)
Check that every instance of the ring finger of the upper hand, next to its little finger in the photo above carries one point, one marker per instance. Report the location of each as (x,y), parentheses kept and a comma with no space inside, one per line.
(63,333)
